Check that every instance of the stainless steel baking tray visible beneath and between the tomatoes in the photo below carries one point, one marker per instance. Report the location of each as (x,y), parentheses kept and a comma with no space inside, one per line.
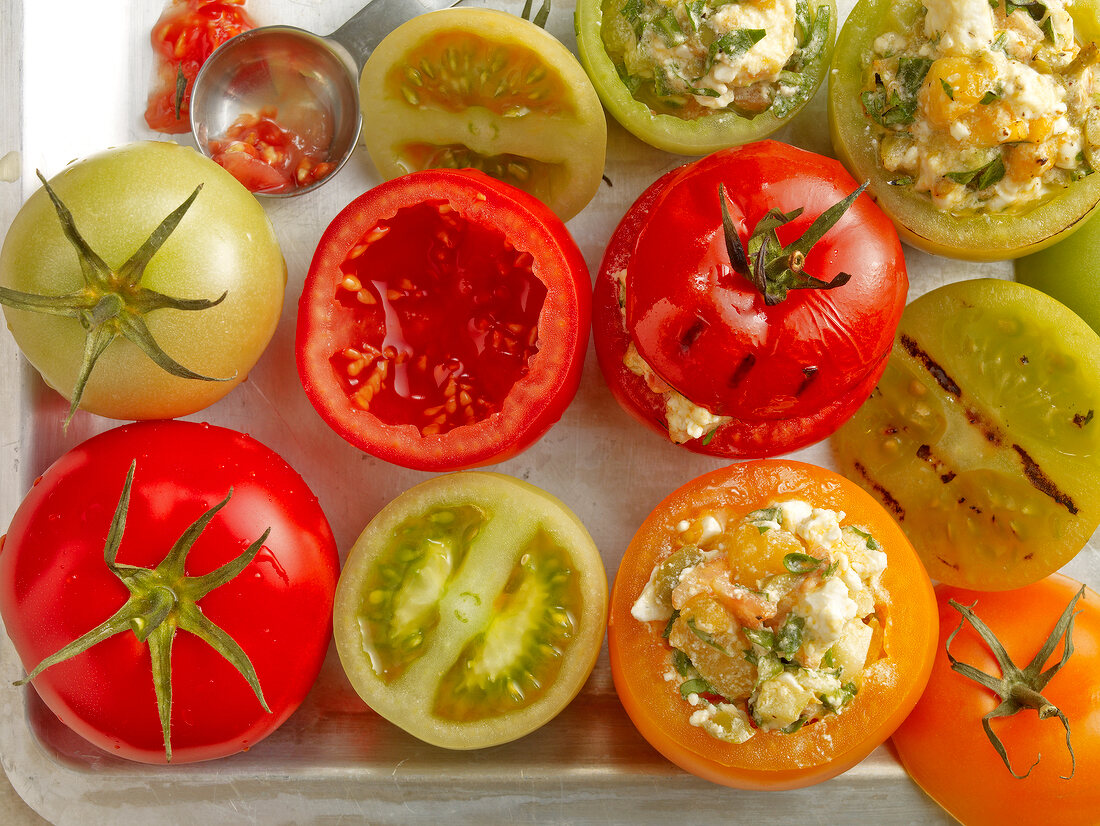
(75,78)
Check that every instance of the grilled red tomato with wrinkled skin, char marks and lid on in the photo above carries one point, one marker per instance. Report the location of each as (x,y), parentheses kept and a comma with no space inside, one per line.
(784,375)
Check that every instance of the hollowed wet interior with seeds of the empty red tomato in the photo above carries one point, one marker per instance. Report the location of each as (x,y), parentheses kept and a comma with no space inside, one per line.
(442,317)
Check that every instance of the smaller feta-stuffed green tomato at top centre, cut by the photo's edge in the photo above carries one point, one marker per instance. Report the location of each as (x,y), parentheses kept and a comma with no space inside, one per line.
(621,46)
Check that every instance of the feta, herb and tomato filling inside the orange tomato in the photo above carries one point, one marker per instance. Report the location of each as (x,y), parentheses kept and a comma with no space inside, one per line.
(772,619)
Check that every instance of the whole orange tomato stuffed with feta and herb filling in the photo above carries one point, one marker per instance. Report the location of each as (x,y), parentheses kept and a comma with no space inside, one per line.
(774,549)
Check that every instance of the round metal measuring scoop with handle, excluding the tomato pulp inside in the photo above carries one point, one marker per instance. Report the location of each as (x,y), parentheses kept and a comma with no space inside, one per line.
(312,81)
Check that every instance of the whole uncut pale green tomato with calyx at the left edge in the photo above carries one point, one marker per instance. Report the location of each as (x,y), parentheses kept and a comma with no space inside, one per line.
(223,246)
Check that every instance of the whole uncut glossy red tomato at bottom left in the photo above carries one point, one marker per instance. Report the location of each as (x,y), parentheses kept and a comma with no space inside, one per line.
(56,587)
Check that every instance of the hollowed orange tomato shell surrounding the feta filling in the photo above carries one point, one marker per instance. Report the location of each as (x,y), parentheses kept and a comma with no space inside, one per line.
(821,750)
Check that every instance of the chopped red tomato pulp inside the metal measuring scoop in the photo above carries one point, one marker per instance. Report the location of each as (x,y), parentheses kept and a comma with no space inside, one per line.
(267,158)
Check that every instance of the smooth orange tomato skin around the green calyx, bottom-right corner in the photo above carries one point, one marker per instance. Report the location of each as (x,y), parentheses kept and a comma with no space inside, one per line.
(945,733)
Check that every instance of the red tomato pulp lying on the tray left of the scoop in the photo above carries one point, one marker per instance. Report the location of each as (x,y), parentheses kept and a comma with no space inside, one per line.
(183,39)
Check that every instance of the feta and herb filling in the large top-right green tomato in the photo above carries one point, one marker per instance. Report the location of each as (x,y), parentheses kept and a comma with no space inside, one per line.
(982,106)
